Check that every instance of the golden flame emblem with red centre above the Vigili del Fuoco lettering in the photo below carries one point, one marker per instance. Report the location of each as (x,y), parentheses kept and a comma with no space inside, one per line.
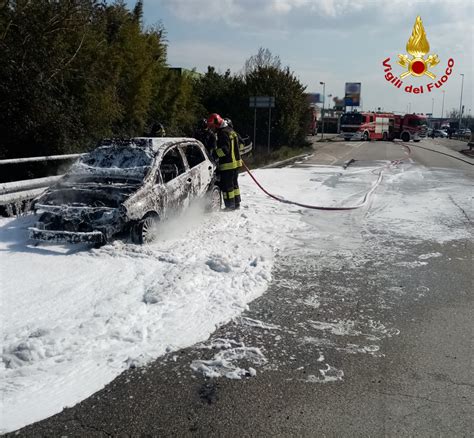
(418,46)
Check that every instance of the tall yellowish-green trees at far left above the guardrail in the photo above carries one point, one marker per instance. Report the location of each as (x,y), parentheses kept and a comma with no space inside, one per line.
(73,72)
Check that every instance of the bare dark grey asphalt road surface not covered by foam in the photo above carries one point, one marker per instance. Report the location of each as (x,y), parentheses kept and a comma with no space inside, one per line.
(407,370)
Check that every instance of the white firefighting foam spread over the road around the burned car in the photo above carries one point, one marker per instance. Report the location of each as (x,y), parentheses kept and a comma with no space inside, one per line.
(74,318)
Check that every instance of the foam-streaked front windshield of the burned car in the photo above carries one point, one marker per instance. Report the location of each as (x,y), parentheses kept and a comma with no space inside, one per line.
(129,162)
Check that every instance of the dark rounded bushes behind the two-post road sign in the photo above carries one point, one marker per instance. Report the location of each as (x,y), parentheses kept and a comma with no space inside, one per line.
(229,95)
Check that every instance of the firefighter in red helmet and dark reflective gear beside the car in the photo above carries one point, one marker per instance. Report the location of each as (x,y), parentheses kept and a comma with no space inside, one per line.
(228,154)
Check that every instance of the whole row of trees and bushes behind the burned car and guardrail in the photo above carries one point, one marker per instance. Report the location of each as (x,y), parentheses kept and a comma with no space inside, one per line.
(73,72)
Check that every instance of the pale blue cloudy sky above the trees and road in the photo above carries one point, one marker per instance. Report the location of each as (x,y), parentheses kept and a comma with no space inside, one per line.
(330,41)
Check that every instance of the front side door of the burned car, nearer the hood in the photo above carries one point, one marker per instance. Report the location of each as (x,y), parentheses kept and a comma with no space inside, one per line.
(176,181)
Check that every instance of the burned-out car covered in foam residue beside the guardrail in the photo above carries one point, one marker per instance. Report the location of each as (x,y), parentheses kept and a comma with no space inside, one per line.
(126,186)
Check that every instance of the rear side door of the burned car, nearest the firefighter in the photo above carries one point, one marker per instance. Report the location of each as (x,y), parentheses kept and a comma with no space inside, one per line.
(201,170)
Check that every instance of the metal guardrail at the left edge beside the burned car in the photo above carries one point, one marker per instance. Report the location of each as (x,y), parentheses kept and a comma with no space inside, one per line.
(16,196)
